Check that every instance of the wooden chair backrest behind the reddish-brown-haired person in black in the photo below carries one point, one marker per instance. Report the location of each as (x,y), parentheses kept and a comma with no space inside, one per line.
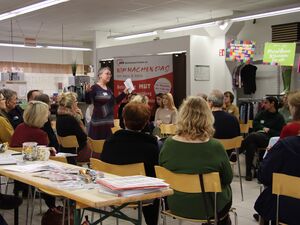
(120,170)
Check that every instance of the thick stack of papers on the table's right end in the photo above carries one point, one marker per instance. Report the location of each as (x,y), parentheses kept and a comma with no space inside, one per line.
(131,185)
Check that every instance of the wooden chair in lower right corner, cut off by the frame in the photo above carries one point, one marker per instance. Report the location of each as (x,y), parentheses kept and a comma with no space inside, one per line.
(285,185)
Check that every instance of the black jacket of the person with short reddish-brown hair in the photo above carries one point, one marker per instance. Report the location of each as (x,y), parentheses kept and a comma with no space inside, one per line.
(127,147)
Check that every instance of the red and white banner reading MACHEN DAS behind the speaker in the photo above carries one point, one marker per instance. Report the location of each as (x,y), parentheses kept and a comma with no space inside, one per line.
(150,75)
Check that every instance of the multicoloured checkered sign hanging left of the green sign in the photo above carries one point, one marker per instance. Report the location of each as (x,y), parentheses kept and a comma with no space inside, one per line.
(240,51)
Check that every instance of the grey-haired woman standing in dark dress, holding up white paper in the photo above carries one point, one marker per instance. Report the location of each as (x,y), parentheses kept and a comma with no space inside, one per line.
(103,99)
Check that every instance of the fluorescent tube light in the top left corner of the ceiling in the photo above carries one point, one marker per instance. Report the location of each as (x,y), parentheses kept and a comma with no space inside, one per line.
(30,8)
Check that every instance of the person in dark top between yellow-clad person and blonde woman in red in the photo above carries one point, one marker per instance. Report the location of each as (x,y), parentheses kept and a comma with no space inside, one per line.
(13,111)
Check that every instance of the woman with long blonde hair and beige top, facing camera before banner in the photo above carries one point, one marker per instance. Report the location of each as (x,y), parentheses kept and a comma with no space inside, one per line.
(167,112)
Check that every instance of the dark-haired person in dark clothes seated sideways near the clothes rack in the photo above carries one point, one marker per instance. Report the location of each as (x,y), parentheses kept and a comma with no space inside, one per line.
(266,124)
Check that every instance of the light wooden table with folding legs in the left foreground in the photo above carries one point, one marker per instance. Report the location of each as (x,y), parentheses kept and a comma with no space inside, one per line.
(86,197)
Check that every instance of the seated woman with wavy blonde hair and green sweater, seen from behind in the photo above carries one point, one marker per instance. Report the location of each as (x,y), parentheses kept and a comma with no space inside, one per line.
(193,150)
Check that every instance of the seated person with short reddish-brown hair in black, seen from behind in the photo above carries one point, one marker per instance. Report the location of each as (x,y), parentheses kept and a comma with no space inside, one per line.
(133,146)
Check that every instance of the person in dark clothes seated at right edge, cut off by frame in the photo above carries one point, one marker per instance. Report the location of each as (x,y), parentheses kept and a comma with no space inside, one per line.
(283,157)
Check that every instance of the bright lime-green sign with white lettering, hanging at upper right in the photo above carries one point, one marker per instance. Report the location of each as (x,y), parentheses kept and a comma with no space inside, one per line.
(282,54)
